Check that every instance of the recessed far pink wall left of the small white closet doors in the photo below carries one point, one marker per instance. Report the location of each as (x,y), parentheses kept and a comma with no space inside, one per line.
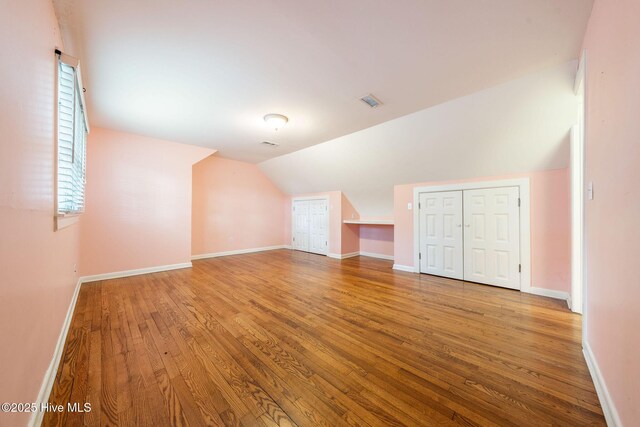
(235,206)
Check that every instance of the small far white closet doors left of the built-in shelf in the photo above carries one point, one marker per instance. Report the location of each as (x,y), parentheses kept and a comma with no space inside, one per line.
(311,226)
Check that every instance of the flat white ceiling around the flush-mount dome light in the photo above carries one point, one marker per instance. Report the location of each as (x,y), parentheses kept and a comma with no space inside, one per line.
(205,72)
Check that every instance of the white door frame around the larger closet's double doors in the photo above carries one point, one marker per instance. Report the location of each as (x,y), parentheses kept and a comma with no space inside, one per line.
(525,220)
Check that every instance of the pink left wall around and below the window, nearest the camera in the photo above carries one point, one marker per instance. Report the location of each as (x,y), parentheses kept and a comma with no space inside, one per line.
(37,276)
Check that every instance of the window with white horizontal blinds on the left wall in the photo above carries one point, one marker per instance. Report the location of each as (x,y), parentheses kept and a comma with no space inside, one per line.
(72,139)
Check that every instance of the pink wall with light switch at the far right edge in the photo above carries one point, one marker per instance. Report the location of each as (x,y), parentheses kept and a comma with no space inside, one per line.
(611,218)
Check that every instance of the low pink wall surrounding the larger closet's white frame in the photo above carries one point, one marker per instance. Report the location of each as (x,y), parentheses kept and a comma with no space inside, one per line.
(550,226)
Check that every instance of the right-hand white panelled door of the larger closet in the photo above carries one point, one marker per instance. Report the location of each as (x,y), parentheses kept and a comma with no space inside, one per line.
(492,236)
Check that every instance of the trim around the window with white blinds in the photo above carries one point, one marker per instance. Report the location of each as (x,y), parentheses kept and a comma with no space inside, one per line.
(62,219)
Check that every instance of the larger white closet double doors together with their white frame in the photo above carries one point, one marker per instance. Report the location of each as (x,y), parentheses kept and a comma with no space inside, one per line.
(476,231)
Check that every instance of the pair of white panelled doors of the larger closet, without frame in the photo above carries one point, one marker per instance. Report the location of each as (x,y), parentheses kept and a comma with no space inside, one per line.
(471,235)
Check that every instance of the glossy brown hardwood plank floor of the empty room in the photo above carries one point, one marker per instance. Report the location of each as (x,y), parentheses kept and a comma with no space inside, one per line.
(289,338)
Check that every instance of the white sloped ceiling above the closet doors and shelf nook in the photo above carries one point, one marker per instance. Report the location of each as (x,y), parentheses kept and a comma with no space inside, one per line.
(519,126)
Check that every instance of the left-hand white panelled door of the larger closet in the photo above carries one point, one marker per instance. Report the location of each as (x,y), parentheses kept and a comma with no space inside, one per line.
(441,246)
